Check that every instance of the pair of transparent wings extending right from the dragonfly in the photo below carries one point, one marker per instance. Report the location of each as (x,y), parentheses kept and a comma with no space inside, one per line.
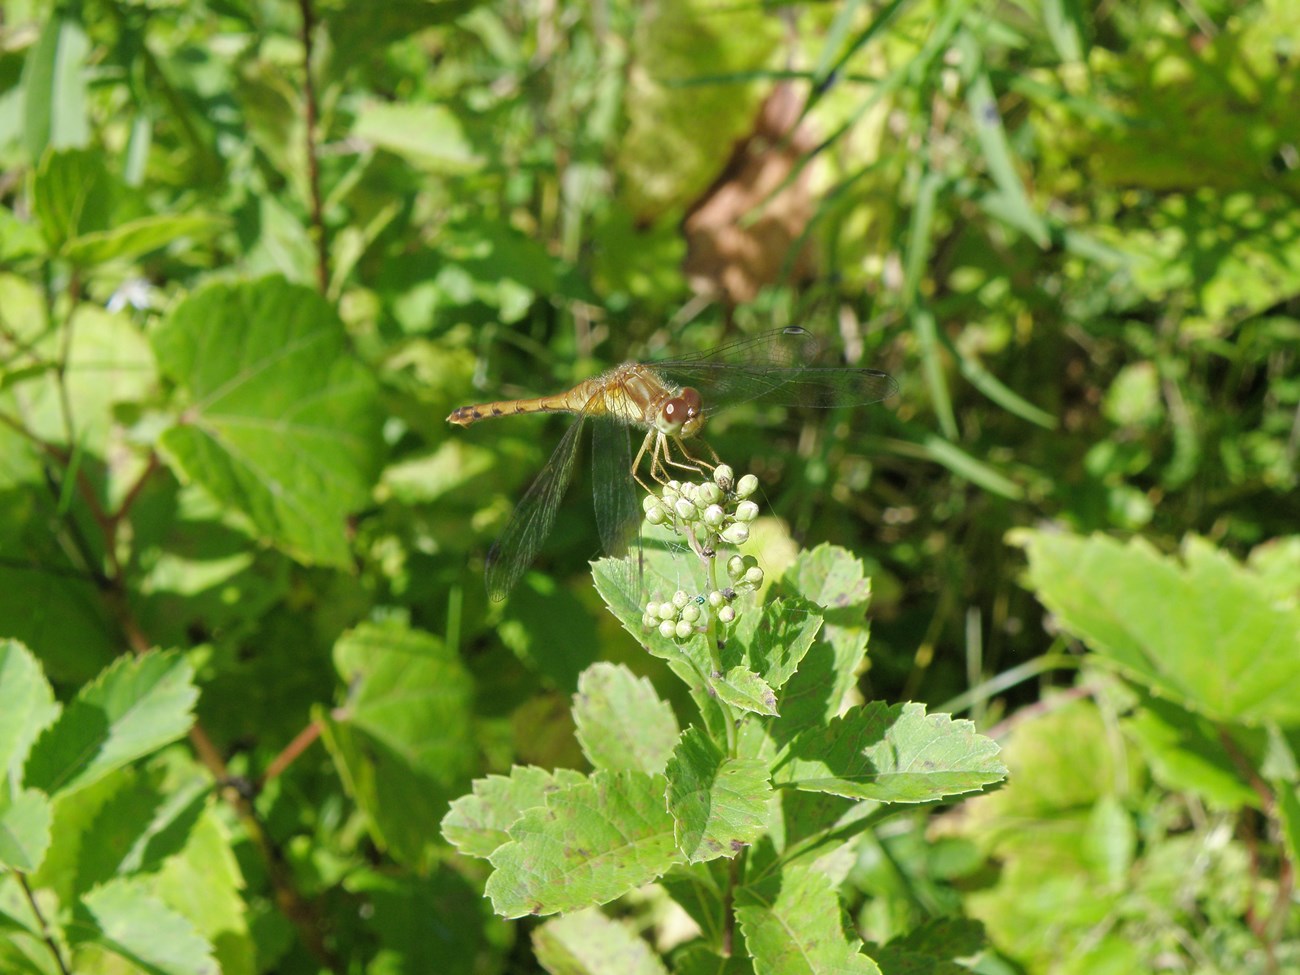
(778,367)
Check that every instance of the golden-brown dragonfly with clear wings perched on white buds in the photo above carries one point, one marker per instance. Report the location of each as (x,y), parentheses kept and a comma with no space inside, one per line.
(670,401)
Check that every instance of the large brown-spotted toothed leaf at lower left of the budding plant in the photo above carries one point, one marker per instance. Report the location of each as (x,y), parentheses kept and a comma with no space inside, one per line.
(591,843)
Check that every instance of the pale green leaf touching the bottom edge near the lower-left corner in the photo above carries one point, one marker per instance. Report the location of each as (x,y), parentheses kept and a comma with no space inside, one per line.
(124,918)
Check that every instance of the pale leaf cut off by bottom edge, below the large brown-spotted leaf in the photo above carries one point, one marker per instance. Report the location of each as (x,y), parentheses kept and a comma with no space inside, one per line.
(588,943)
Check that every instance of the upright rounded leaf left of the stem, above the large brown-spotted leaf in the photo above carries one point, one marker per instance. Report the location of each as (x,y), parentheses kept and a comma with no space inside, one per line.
(622,723)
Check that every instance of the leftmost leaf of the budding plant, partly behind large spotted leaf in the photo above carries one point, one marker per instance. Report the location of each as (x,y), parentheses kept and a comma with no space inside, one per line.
(476,825)
